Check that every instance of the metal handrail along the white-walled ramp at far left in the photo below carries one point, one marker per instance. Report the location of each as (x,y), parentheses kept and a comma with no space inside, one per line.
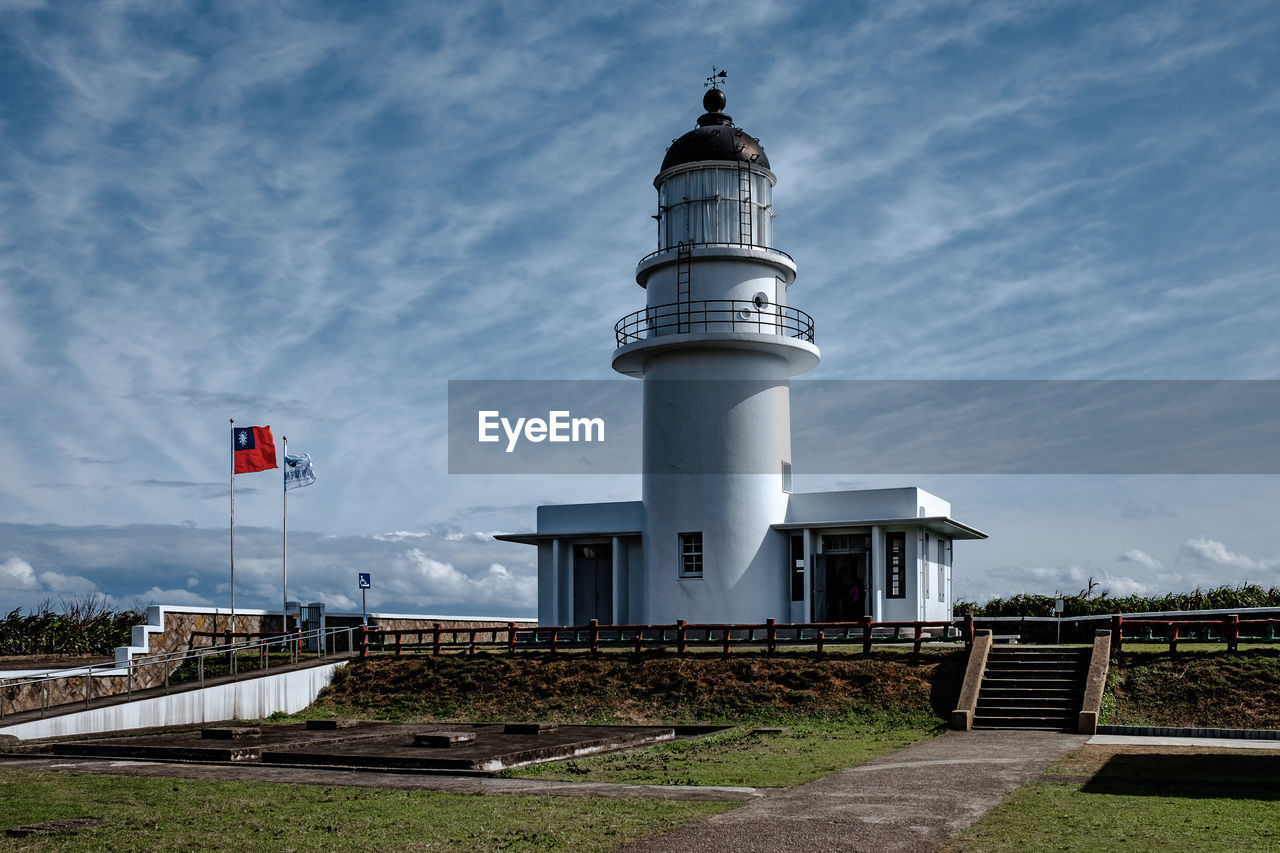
(171,660)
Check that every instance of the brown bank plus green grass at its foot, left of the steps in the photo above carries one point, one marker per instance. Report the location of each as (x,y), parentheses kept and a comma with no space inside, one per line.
(839,710)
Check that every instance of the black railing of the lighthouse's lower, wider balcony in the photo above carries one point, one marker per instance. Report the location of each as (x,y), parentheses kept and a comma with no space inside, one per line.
(714,316)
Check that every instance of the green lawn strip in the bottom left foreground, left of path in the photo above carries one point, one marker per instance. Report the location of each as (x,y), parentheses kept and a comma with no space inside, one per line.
(147,814)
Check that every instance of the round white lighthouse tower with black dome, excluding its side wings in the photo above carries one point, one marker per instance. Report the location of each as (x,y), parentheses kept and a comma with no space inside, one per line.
(716,345)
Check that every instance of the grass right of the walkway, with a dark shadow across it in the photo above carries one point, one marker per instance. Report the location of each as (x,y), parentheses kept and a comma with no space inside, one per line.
(1139,799)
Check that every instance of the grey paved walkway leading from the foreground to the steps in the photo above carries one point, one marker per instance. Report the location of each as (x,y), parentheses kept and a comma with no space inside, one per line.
(909,801)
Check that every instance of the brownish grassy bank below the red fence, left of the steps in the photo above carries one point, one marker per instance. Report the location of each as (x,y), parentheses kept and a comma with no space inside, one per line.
(646,688)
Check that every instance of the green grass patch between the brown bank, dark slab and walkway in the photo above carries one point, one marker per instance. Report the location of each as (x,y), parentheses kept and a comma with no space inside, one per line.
(810,749)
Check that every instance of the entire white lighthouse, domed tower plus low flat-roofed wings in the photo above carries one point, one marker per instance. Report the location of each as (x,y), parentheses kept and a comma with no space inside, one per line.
(719,536)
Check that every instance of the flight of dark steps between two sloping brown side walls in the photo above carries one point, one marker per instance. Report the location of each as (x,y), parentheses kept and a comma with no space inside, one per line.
(1030,687)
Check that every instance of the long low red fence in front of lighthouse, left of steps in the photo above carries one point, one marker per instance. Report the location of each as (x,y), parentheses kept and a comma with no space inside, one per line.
(680,636)
